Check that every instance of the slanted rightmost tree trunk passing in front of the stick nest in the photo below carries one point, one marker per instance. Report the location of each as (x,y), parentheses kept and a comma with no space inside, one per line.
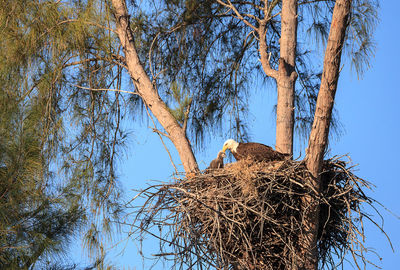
(320,130)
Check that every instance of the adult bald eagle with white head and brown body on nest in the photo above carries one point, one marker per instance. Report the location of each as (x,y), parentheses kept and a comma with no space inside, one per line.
(255,151)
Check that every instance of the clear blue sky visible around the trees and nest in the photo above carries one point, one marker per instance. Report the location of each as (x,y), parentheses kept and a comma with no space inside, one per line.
(369,110)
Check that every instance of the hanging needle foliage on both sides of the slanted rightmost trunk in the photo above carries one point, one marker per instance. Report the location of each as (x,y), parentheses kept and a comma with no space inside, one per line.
(314,20)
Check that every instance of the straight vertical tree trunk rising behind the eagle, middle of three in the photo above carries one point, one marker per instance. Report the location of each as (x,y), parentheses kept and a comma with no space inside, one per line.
(286,78)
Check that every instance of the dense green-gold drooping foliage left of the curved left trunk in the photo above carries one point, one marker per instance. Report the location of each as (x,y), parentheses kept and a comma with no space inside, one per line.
(59,140)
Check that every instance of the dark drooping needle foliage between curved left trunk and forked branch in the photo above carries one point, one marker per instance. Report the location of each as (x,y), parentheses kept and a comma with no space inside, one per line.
(209,55)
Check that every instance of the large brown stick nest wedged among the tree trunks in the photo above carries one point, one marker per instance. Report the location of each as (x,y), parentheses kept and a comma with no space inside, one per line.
(248,216)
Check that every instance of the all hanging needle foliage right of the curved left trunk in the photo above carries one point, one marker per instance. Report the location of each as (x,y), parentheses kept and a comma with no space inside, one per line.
(212,55)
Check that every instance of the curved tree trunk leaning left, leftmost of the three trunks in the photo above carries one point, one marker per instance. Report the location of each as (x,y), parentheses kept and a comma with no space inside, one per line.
(147,91)
